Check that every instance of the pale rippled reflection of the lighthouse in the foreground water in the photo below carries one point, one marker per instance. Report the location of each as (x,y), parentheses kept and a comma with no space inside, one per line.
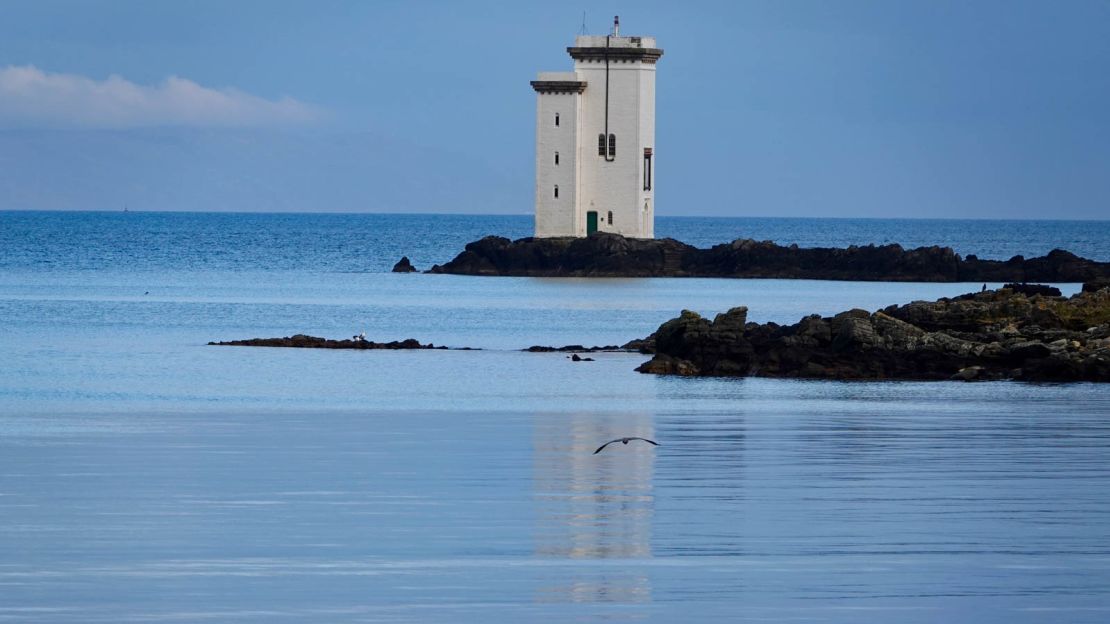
(594,507)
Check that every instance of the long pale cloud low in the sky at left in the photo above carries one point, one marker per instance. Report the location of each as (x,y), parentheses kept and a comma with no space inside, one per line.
(32,97)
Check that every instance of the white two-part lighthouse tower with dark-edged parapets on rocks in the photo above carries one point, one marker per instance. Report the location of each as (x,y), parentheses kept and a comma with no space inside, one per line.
(596,139)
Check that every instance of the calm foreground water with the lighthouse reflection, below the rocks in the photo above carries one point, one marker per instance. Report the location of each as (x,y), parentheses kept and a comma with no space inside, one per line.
(847,502)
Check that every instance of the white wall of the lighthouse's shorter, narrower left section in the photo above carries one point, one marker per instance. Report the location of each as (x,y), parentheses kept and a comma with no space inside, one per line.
(557,217)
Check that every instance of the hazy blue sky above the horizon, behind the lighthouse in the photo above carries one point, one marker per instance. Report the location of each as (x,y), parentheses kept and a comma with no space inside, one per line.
(857,109)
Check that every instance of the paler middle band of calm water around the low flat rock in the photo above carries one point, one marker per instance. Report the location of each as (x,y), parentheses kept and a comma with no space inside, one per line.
(89,343)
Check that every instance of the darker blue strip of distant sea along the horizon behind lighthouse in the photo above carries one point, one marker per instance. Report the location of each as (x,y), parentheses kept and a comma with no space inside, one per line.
(374,243)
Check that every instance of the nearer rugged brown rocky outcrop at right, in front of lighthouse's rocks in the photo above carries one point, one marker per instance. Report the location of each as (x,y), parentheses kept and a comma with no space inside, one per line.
(990,336)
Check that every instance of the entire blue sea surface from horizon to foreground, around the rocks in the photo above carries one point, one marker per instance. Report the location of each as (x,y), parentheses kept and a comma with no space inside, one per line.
(146,477)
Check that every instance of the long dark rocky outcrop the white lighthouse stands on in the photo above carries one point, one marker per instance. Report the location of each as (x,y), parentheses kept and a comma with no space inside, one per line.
(603,255)
